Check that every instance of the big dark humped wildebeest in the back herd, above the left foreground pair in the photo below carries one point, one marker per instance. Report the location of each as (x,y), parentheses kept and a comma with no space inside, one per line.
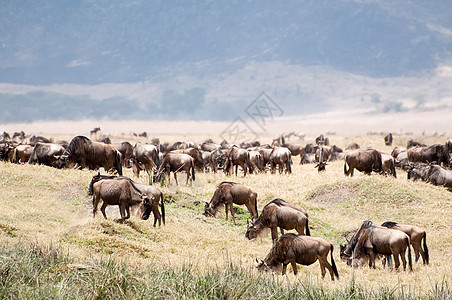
(86,153)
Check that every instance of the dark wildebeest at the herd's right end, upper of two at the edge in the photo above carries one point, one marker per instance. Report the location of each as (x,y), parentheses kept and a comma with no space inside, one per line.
(431,154)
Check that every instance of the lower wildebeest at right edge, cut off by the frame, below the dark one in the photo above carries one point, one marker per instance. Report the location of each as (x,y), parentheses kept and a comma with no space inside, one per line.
(434,174)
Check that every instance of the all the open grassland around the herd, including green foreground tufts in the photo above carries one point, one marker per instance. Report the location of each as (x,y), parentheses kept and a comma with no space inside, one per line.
(52,247)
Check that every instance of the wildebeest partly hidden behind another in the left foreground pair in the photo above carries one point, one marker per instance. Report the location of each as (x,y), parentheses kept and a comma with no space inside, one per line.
(153,193)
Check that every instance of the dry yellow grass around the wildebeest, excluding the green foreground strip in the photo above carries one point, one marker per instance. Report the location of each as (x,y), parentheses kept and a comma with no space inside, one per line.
(43,204)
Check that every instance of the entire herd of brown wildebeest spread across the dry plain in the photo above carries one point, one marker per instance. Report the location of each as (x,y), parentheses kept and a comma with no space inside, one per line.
(158,160)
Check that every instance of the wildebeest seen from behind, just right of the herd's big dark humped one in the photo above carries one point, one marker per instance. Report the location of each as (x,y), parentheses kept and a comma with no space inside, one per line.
(145,157)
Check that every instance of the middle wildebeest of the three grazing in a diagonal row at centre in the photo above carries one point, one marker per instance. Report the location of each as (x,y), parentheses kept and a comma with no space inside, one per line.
(278,213)
